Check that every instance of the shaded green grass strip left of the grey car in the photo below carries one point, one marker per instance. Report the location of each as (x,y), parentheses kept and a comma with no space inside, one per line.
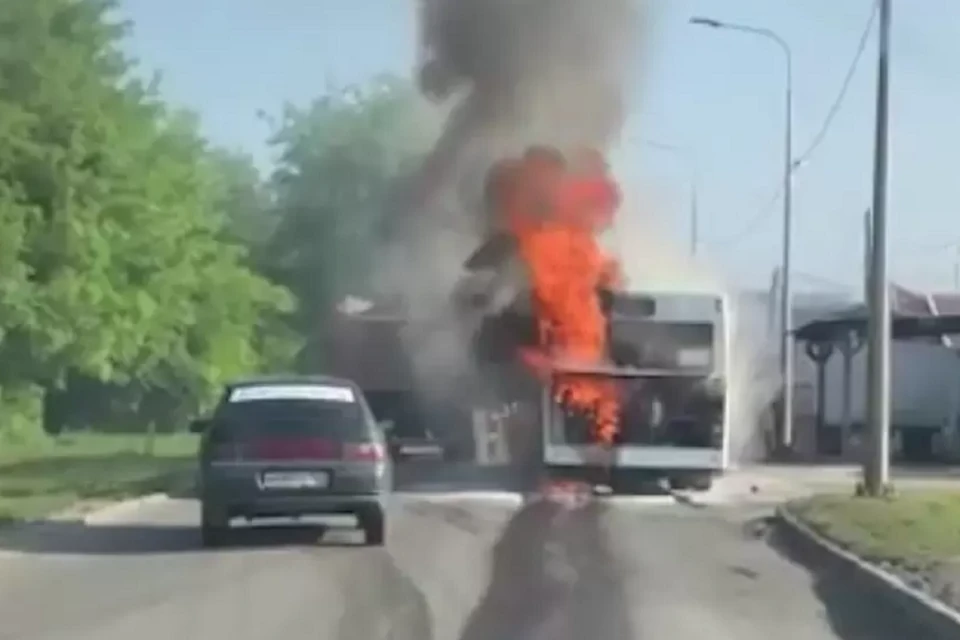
(40,478)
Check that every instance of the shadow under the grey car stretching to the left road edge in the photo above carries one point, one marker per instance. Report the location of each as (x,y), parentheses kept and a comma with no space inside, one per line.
(135,539)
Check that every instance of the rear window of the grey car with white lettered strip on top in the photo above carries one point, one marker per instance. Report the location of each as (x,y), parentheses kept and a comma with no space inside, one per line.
(271,411)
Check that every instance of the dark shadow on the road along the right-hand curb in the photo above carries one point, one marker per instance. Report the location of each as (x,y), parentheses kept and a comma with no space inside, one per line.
(854,610)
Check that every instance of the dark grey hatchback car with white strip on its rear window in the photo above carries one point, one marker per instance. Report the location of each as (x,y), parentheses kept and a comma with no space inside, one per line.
(291,447)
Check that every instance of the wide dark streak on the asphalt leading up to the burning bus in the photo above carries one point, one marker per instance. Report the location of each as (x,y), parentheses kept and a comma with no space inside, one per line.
(552,577)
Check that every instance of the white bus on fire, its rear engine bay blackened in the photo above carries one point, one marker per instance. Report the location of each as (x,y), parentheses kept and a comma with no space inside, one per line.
(671,354)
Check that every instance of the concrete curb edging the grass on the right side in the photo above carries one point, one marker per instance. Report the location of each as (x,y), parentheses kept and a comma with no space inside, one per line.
(934,616)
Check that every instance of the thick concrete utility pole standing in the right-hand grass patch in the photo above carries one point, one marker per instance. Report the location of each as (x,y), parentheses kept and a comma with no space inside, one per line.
(877,468)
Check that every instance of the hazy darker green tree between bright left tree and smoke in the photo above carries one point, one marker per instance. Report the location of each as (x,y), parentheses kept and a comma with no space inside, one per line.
(340,161)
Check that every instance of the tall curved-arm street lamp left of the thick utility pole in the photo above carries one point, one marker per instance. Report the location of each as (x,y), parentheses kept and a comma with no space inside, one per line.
(786,295)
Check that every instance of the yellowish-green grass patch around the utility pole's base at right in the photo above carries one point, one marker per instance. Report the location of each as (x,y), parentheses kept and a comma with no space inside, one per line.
(915,529)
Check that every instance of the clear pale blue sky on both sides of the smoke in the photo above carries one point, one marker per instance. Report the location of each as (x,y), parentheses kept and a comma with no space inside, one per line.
(717,93)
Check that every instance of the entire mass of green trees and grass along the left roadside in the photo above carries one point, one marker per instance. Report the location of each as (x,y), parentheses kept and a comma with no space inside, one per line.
(141,266)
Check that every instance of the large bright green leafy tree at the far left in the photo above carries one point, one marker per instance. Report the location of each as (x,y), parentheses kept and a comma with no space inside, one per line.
(115,263)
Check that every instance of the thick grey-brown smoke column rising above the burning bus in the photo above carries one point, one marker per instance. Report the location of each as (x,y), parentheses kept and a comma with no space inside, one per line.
(510,73)
